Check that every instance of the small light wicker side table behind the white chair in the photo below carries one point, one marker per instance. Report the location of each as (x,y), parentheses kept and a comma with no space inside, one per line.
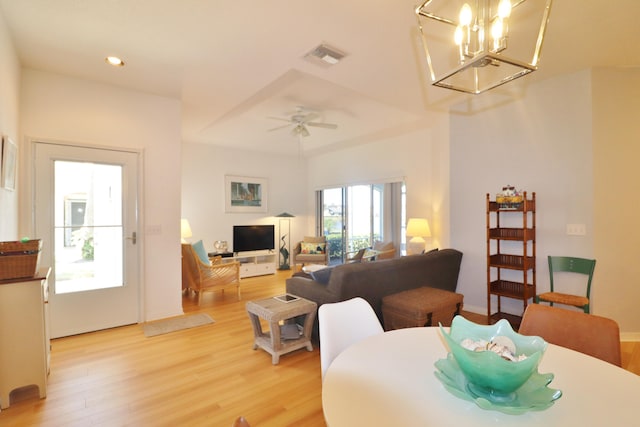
(276,312)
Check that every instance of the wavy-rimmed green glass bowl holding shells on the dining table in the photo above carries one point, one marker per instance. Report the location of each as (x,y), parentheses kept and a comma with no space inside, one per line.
(488,374)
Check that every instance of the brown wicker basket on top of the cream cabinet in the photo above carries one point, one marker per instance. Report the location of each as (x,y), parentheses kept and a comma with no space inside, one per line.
(19,259)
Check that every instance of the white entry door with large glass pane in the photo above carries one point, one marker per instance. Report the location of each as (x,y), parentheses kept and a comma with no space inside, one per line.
(86,202)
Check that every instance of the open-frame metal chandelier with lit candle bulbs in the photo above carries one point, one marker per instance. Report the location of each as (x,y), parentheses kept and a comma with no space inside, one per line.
(476,45)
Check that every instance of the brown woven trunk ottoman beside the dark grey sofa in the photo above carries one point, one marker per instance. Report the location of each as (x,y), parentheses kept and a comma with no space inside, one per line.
(420,307)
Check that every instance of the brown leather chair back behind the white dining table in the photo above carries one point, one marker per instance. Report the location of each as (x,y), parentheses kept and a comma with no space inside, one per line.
(589,334)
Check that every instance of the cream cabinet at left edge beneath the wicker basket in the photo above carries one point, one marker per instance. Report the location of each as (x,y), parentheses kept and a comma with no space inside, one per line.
(24,335)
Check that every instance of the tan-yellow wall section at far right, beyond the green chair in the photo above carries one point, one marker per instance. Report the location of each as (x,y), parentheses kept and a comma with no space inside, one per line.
(616,133)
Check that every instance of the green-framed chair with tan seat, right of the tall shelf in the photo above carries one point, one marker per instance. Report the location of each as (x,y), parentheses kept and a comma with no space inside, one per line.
(570,265)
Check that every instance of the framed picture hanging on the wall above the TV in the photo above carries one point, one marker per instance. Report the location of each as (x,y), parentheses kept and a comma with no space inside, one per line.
(245,194)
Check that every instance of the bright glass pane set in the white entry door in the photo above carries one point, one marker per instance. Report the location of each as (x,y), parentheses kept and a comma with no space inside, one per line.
(88,226)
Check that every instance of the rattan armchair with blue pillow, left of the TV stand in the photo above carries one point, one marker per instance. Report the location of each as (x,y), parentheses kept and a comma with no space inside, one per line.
(201,277)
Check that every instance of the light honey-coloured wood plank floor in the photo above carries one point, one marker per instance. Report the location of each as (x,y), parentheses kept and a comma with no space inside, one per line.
(205,376)
